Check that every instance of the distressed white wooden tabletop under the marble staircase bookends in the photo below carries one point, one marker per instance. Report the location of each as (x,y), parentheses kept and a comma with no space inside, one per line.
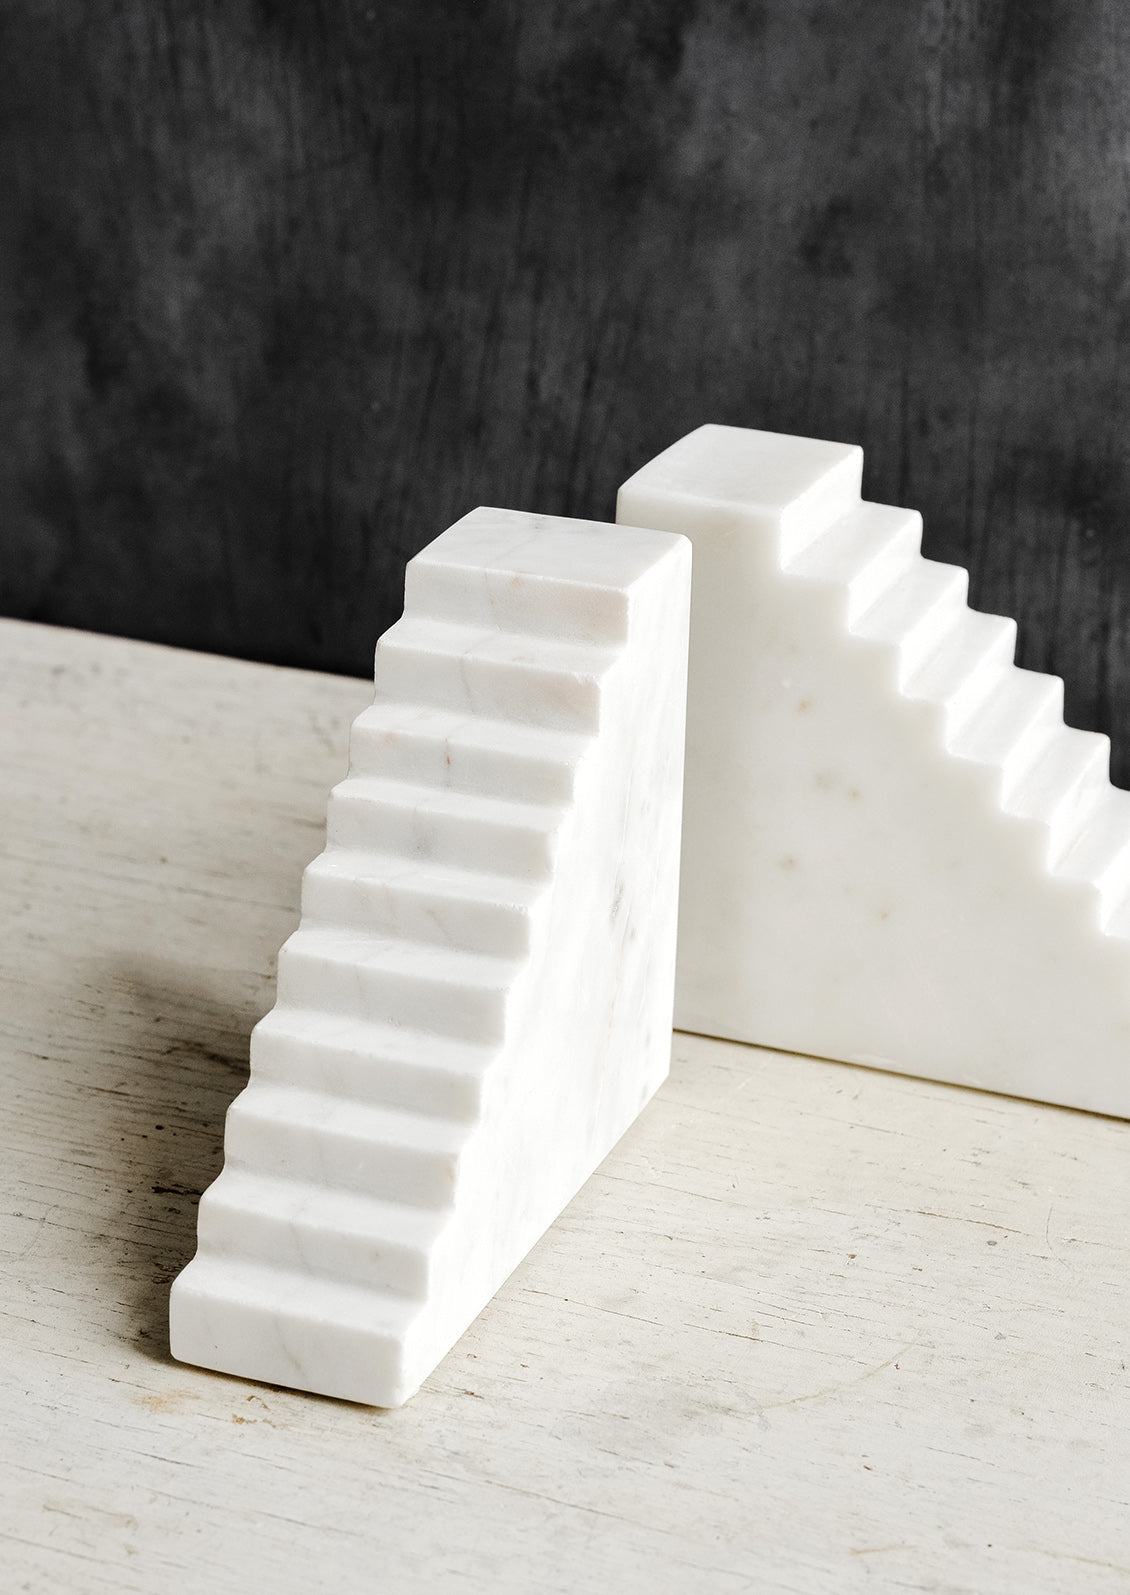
(810,1329)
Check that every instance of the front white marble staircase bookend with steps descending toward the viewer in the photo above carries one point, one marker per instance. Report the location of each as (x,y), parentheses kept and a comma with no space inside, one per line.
(478,1001)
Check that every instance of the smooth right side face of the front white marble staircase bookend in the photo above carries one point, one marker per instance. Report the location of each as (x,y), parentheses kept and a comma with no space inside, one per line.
(591,1038)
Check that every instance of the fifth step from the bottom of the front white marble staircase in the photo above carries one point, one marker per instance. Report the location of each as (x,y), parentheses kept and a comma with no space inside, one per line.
(395,982)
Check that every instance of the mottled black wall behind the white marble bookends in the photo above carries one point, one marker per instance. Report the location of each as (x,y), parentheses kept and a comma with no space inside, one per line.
(290,285)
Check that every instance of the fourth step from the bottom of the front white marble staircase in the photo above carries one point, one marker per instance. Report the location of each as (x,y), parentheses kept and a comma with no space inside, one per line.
(366,1061)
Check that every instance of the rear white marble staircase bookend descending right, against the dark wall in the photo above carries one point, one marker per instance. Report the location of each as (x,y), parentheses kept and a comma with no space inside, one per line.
(895,851)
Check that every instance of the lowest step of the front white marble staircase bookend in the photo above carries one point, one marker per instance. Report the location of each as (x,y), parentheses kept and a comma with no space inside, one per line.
(269,1325)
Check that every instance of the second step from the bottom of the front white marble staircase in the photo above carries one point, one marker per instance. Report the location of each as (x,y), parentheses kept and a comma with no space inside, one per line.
(328,1234)
